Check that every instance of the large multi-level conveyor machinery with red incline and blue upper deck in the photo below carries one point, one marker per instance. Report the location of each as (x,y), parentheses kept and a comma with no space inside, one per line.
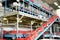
(39,19)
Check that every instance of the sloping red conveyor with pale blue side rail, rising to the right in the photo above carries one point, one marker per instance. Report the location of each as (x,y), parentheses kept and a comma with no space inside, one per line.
(34,35)
